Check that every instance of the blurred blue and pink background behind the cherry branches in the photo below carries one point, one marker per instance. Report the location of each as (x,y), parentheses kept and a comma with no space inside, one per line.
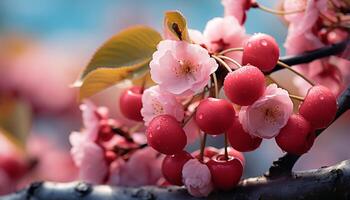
(44,45)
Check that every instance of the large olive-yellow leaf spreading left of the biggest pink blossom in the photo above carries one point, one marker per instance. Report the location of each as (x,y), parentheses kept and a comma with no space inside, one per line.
(129,47)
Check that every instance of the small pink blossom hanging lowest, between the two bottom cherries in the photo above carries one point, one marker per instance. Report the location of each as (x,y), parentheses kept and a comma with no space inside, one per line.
(197,178)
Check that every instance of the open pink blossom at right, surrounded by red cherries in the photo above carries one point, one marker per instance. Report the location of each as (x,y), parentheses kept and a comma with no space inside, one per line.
(266,116)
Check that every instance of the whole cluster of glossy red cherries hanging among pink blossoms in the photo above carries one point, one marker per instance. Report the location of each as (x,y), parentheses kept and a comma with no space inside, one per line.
(217,116)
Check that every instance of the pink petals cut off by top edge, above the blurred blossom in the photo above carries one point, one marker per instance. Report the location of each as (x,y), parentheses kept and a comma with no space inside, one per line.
(236,8)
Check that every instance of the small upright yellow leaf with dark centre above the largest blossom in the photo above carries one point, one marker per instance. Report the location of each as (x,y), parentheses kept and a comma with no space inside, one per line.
(175,24)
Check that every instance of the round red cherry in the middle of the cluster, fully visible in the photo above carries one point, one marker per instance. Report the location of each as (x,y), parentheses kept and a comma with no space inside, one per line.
(214,116)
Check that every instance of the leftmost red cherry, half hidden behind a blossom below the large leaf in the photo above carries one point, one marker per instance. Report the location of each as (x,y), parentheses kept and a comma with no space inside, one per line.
(131,103)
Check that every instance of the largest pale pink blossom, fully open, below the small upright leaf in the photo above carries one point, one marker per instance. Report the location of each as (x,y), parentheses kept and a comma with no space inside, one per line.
(181,68)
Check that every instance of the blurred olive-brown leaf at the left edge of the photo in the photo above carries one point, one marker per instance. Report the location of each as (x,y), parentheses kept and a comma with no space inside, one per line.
(15,121)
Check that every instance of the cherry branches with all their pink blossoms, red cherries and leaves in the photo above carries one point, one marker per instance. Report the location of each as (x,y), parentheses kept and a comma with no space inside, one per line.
(174,99)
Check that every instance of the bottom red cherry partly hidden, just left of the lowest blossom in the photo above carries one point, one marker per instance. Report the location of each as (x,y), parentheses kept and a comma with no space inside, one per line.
(172,167)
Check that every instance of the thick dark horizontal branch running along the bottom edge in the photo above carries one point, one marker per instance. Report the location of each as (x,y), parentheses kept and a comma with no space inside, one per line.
(324,183)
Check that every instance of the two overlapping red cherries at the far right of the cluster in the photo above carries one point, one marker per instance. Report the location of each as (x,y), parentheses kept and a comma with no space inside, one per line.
(317,111)
